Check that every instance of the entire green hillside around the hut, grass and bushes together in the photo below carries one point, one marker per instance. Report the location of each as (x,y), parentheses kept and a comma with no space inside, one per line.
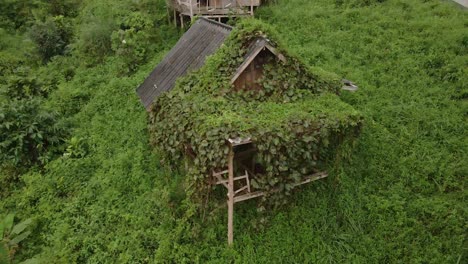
(75,157)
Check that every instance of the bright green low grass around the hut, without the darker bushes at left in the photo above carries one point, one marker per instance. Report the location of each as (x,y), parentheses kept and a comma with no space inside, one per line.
(402,197)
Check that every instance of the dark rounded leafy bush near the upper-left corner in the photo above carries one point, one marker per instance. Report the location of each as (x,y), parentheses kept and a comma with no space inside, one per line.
(51,37)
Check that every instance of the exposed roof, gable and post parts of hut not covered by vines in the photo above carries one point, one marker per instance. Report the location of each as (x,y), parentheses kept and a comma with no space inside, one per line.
(189,54)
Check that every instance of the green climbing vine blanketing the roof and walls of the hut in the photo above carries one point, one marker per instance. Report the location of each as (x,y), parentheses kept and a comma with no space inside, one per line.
(296,120)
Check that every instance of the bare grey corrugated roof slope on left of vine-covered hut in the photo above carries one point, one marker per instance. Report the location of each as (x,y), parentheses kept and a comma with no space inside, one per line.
(201,40)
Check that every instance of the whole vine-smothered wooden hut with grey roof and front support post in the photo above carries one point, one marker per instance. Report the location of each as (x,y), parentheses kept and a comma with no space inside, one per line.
(244,113)
